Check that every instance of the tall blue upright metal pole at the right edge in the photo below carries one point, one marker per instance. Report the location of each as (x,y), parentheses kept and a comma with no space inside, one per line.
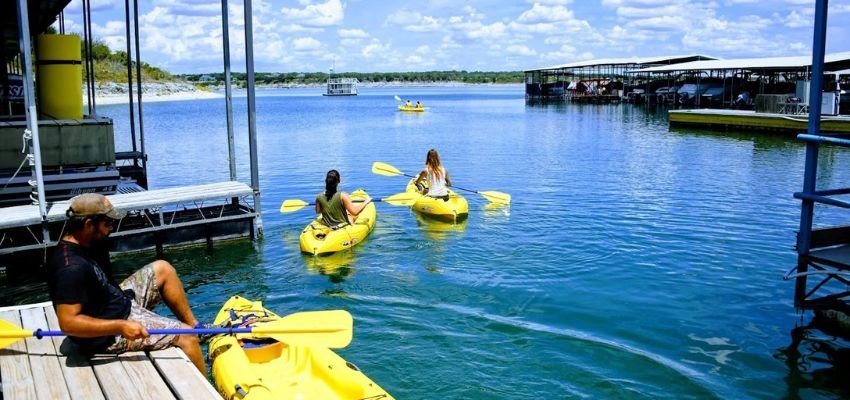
(810,175)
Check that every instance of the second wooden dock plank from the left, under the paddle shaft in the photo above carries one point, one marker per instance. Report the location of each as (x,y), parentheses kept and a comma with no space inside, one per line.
(47,374)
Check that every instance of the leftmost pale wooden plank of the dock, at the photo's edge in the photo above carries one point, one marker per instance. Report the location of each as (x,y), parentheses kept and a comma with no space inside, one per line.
(15,372)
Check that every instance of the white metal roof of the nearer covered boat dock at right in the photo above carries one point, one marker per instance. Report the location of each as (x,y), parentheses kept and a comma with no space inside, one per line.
(832,61)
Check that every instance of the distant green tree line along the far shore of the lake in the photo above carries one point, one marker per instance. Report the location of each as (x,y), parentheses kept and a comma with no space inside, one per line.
(309,78)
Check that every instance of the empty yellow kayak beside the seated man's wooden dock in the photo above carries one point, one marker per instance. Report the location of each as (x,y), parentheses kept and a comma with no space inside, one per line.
(264,369)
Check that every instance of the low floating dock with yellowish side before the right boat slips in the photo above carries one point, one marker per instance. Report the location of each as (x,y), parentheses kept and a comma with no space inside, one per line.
(743,119)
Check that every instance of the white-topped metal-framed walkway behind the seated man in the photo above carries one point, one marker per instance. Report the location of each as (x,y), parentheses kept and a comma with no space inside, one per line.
(157,218)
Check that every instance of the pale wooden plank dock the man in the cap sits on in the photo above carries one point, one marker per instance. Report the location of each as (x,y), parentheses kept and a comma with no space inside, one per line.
(48,369)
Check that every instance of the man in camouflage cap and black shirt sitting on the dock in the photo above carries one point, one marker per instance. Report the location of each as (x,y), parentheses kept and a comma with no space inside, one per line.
(100,315)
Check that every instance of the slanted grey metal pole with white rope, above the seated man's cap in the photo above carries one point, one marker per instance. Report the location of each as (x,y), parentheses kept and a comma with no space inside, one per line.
(32,114)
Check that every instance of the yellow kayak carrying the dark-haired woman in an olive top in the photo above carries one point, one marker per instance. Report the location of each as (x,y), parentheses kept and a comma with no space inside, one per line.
(318,238)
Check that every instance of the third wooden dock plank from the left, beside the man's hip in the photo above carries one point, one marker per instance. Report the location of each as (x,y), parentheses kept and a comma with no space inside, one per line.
(79,375)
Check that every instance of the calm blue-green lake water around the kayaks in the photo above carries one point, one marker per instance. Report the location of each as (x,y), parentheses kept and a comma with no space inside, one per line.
(634,261)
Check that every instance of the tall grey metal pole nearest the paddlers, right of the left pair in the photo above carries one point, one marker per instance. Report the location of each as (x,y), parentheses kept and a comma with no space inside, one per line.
(252,114)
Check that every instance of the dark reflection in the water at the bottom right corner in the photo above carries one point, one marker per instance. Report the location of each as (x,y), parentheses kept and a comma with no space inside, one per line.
(817,361)
